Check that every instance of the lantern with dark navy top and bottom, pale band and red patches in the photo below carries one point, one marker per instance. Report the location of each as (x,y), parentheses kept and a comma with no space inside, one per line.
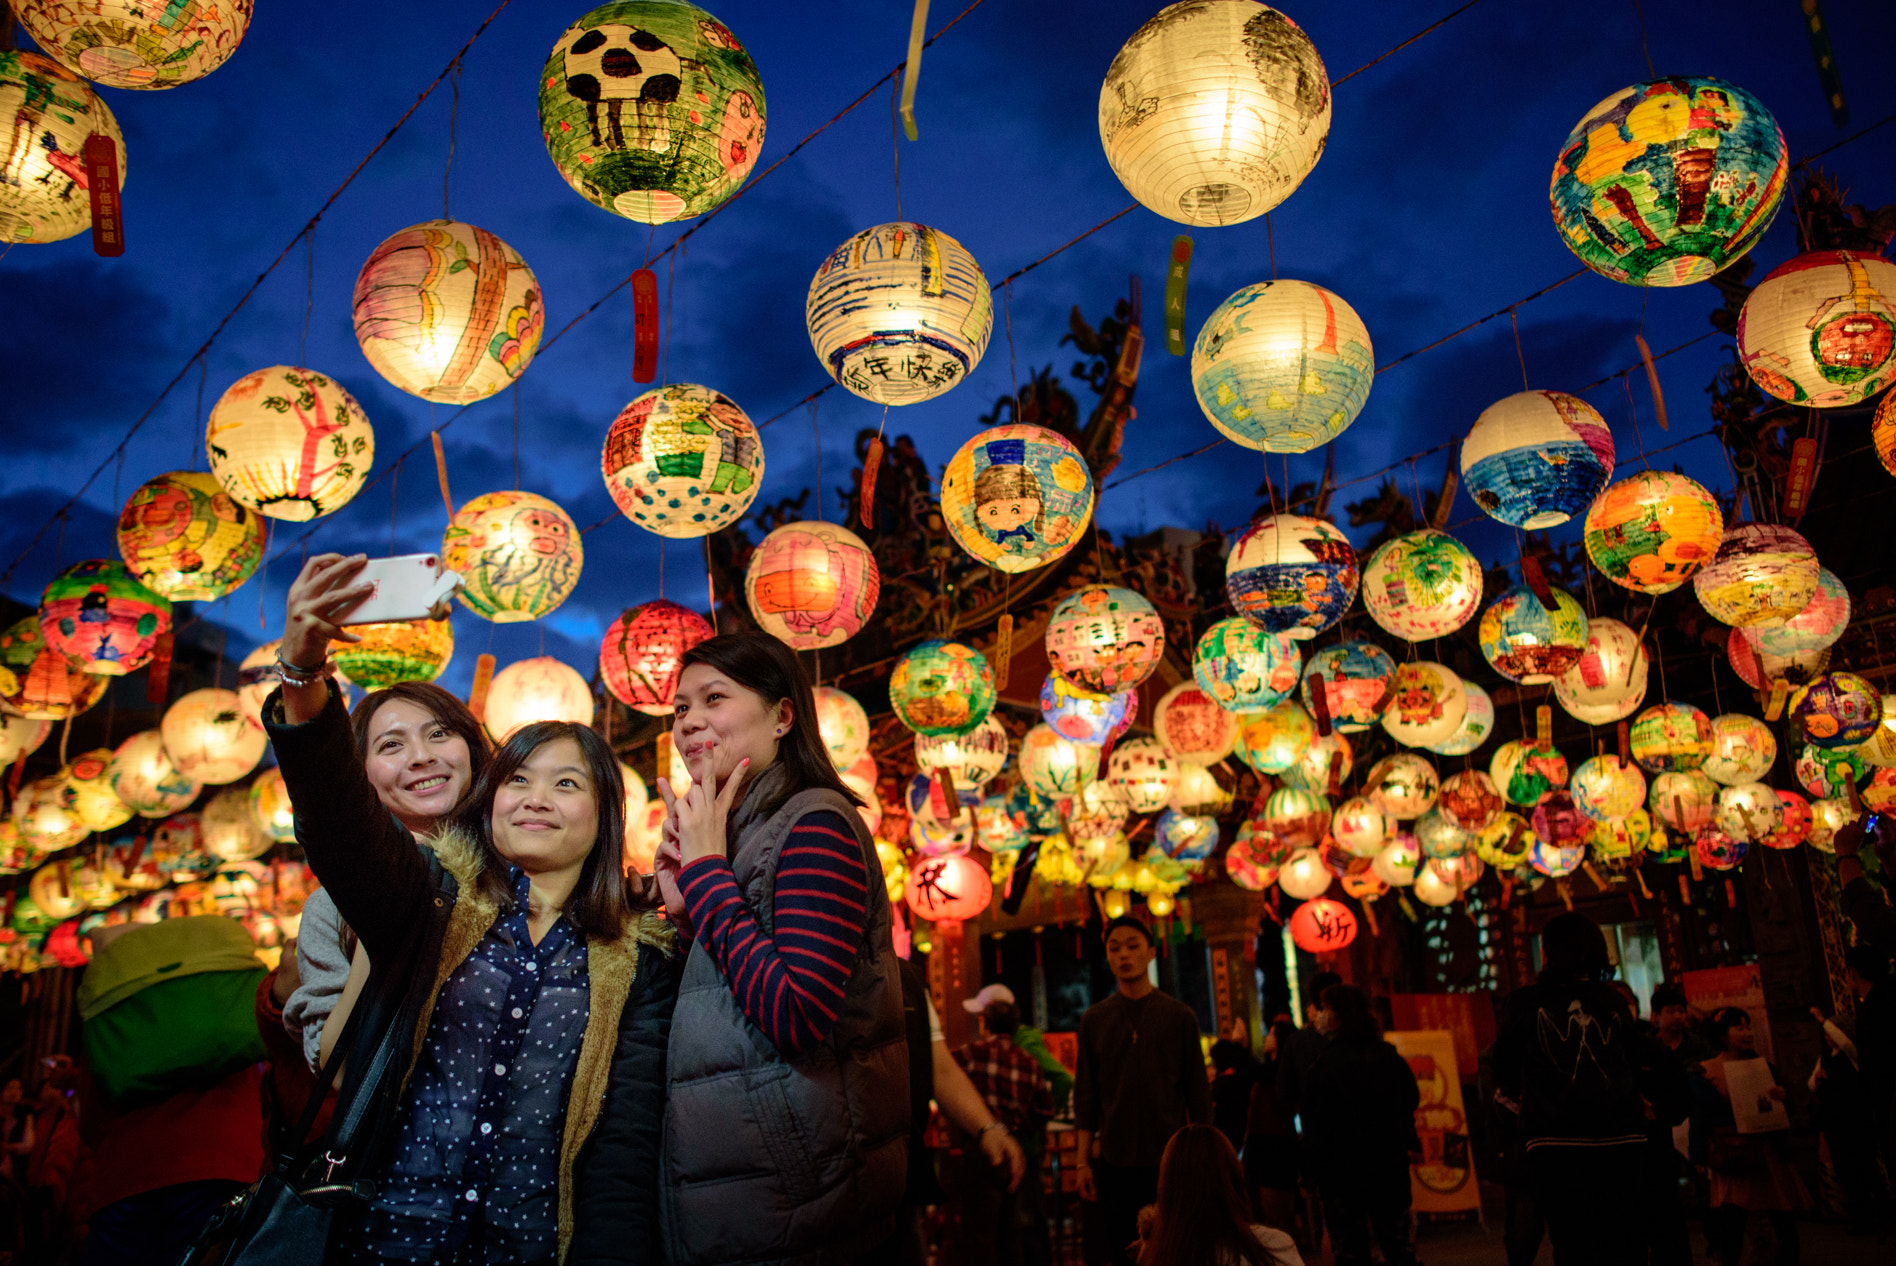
(1292,575)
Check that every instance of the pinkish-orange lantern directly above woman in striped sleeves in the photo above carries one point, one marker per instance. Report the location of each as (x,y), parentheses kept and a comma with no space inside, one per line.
(812,585)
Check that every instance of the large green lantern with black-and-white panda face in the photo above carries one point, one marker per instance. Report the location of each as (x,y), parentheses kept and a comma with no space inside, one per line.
(653,111)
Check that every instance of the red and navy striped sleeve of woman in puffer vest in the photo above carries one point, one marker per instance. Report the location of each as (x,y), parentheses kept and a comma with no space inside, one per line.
(790,985)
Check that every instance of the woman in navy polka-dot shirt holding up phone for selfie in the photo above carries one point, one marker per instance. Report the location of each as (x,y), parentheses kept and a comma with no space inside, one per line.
(519,971)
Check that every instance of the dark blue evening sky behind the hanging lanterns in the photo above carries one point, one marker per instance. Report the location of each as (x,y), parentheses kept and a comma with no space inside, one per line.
(1427,211)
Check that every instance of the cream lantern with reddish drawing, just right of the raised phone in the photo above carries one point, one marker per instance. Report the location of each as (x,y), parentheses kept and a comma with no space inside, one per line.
(519,556)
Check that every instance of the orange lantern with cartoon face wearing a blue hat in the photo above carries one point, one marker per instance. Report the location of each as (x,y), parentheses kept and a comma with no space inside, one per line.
(1019,497)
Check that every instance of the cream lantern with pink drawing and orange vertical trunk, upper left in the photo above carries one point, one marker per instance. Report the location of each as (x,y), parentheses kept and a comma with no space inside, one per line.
(448,312)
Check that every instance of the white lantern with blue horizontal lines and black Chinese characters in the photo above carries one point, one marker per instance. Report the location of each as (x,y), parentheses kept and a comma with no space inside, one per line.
(902,314)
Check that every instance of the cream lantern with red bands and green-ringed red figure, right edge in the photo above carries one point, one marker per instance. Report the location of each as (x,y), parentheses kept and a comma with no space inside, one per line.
(1821,329)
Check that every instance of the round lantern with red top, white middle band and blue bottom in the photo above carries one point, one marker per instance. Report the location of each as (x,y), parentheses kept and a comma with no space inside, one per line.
(1539,458)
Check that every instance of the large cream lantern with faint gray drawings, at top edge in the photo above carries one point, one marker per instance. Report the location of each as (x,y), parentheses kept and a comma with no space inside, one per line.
(1214,113)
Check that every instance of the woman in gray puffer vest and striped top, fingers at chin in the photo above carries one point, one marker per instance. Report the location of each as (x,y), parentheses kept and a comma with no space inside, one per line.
(786,1132)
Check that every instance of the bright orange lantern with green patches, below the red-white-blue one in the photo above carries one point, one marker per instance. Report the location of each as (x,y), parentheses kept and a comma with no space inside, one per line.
(1652,532)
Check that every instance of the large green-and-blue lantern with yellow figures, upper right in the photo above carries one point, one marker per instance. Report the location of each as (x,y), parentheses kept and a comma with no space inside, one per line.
(1666,183)
